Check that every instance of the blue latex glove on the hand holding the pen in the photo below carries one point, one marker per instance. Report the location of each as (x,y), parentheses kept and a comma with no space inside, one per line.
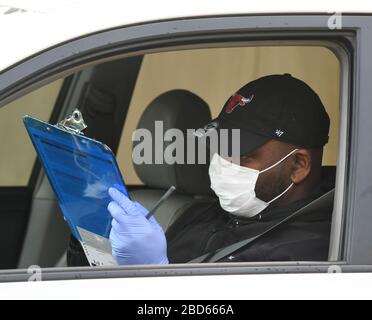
(134,239)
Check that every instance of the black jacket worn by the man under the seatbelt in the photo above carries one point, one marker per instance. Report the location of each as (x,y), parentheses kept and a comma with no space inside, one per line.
(206,228)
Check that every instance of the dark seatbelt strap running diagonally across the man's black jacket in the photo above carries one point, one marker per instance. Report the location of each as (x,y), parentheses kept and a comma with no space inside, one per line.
(219,254)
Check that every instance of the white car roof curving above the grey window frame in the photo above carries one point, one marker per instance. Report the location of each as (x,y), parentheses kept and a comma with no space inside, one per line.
(37,25)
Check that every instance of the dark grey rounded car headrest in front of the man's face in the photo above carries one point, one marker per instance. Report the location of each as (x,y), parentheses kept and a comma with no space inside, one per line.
(176,109)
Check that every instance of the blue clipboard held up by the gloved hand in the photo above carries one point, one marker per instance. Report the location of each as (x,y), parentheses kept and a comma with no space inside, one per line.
(80,171)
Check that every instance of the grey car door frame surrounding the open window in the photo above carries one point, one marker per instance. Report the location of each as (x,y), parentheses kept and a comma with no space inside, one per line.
(350,239)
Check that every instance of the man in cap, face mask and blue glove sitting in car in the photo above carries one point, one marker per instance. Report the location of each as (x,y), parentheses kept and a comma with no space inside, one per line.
(283,129)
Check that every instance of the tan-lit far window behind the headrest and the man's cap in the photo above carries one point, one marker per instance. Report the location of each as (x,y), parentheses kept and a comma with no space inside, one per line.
(214,75)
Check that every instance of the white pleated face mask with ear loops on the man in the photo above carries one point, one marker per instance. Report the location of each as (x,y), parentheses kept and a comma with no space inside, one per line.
(235,186)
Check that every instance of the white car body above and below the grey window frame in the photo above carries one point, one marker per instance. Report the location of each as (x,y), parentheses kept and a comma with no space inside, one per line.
(29,27)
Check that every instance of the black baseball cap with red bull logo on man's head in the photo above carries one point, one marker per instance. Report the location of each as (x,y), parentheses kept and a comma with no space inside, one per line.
(278,107)
